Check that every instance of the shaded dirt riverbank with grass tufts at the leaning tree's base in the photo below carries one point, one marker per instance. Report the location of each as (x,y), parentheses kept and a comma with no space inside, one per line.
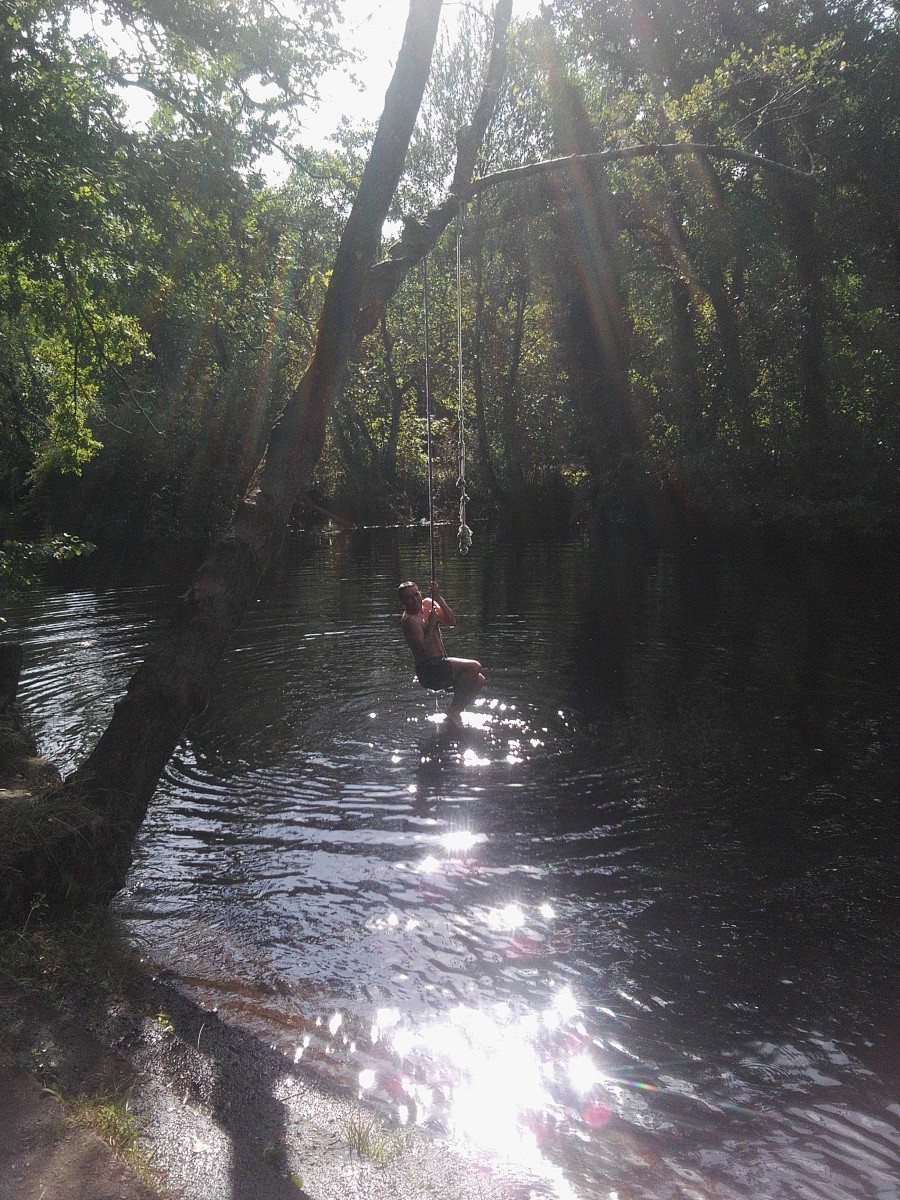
(116,1087)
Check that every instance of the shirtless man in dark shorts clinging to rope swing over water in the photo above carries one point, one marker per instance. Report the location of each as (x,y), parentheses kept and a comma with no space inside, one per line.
(422,621)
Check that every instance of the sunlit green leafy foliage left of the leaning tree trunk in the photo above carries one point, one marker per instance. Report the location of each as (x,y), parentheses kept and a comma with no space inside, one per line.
(143,268)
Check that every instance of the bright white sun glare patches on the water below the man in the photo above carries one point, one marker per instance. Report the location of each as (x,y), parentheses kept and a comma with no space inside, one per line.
(507,1079)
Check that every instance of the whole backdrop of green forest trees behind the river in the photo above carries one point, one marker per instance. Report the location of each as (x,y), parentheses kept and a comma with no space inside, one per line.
(677,339)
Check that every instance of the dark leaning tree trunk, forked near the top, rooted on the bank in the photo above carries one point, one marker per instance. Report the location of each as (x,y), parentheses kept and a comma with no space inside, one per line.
(89,824)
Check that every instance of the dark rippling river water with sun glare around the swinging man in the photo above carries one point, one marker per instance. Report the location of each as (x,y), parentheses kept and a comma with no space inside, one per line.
(634,934)
